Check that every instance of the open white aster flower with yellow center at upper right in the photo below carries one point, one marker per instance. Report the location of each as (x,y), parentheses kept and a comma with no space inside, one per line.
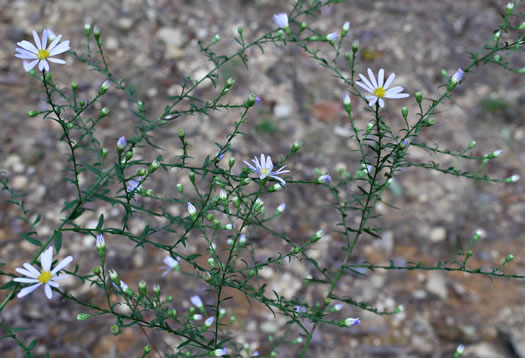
(380,89)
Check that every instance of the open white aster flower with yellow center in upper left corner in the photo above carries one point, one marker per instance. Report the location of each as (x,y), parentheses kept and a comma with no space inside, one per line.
(40,54)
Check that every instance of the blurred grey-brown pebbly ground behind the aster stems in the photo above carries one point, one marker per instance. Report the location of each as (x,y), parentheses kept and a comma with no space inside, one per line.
(153,44)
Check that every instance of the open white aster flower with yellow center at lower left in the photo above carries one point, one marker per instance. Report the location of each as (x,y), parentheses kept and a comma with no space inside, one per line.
(45,276)
